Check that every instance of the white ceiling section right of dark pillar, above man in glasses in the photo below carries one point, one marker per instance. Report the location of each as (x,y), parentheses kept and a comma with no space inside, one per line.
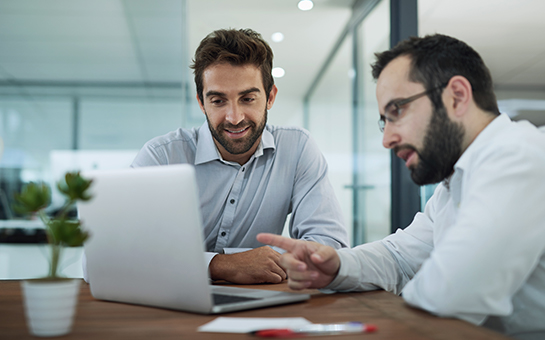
(506,33)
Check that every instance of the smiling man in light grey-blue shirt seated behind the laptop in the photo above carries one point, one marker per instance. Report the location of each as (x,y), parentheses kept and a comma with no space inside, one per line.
(250,175)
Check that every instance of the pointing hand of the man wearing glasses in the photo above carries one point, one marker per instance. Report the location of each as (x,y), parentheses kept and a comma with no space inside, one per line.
(308,264)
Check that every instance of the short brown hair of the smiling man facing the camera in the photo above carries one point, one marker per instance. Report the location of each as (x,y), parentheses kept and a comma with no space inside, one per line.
(236,47)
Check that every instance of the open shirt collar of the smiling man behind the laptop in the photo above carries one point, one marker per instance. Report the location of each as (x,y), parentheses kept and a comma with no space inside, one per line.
(207,150)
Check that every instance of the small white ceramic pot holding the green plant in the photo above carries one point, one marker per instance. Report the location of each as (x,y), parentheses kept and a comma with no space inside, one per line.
(50,306)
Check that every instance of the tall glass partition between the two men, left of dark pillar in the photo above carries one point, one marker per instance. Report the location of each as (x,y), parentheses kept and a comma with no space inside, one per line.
(342,116)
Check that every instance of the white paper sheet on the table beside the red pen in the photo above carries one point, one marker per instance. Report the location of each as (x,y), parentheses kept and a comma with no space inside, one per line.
(246,325)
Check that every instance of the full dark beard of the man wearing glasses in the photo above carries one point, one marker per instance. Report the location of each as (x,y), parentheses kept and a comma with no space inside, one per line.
(442,149)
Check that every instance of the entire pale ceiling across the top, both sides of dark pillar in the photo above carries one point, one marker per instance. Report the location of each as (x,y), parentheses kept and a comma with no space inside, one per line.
(141,40)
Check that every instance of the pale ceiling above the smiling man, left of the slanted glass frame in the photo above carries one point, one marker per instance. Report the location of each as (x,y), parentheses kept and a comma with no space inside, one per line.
(141,40)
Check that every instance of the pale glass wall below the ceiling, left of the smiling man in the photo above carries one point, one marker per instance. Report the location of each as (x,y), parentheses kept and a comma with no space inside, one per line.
(35,127)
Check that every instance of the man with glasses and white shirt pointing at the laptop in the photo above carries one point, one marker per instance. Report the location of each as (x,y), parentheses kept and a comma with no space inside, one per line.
(477,252)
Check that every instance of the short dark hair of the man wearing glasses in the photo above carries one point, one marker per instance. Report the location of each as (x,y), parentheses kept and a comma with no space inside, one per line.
(437,58)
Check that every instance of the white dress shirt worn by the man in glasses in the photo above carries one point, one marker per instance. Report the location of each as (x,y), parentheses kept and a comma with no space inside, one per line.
(477,252)
